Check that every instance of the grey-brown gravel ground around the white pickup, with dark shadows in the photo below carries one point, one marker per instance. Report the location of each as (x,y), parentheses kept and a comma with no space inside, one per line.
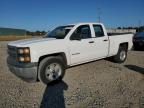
(99,84)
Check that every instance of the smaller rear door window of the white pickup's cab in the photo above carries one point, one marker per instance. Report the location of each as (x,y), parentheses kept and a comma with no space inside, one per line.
(98,30)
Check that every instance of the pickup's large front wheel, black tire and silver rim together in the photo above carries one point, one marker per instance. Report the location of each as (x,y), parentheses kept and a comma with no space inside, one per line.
(51,70)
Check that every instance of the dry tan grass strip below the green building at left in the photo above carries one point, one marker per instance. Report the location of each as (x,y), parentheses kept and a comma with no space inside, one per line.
(12,38)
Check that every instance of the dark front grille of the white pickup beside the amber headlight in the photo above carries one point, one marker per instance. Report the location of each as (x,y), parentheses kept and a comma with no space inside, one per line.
(12,52)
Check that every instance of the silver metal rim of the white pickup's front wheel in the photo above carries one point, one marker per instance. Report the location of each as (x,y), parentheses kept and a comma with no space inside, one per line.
(53,71)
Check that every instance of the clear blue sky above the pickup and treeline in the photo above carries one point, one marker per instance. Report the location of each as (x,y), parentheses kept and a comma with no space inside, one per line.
(47,14)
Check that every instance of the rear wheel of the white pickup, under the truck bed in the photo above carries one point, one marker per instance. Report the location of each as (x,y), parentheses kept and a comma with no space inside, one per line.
(121,55)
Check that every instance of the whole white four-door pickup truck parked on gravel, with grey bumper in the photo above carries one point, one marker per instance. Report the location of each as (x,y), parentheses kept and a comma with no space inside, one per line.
(46,58)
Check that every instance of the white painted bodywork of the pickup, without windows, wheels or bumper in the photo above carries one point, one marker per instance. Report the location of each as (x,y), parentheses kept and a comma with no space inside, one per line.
(76,52)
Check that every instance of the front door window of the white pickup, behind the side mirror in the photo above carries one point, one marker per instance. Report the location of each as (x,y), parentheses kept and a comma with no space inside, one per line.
(83,31)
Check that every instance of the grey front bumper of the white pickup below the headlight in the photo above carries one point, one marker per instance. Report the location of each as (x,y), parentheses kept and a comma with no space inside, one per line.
(25,71)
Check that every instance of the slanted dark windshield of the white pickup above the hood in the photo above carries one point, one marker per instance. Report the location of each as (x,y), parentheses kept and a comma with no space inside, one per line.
(59,32)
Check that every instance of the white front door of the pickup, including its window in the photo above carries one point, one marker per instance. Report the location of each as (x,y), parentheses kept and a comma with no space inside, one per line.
(83,49)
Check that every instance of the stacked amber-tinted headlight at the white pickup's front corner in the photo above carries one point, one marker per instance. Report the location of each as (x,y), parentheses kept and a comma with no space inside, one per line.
(23,55)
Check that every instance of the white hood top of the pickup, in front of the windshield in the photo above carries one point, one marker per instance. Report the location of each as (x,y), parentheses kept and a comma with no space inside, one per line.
(29,41)
